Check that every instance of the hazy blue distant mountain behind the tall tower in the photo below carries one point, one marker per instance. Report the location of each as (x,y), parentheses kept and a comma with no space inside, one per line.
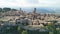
(43,10)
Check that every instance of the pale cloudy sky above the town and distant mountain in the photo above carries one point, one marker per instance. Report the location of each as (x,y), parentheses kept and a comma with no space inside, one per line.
(30,3)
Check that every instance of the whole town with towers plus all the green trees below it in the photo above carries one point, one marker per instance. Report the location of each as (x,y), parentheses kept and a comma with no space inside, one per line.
(22,22)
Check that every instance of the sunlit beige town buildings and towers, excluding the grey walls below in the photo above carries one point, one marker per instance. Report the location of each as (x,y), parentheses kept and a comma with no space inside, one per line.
(33,17)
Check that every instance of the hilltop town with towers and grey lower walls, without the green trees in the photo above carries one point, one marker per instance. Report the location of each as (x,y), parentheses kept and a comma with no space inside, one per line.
(29,20)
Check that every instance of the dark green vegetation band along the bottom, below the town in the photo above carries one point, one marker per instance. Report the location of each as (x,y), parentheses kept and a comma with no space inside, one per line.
(19,30)
